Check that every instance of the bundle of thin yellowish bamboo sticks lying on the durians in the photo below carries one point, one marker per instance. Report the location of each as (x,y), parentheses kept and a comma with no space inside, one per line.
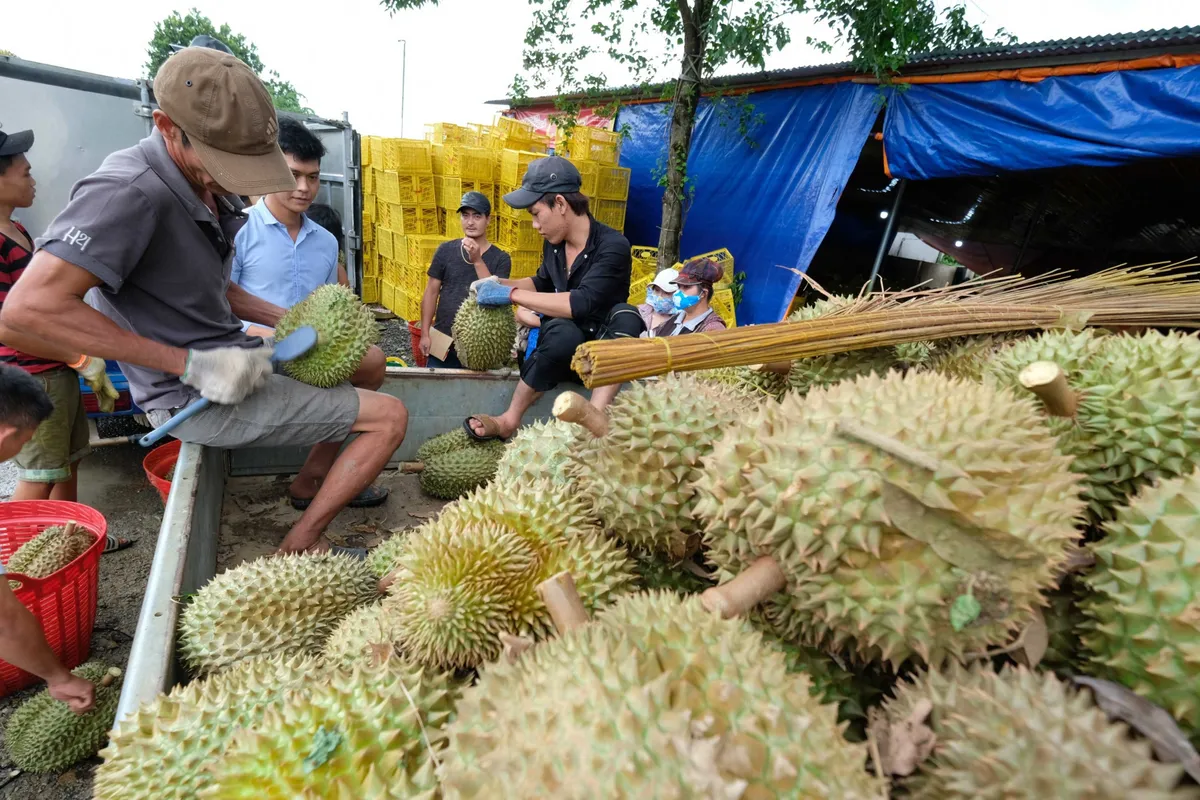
(1160,296)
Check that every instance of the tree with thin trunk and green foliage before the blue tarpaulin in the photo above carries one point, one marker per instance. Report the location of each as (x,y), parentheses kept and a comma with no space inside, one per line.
(572,43)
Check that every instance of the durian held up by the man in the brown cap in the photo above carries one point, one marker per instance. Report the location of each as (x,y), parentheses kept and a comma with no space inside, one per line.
(345,330)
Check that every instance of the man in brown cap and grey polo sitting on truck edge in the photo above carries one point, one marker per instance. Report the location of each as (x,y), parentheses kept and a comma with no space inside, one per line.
(148,234)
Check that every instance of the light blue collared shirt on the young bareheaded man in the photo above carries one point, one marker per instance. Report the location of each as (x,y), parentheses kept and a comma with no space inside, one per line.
(268,264)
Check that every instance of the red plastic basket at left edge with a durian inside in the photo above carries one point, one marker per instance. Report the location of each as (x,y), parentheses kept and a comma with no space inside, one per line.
(63,603)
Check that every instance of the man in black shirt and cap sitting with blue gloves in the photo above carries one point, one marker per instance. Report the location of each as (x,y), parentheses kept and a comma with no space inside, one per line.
(579,292)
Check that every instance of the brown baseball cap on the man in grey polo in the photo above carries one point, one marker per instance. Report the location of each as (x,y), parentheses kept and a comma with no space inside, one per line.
(229,117)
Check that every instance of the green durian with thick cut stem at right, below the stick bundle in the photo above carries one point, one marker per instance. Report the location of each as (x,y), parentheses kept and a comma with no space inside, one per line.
(1139,412)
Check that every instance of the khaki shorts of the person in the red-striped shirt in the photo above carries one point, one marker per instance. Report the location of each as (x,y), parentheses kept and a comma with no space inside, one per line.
(61,441)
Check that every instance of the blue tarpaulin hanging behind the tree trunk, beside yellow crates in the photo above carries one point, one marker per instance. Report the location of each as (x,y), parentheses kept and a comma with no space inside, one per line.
(771,204)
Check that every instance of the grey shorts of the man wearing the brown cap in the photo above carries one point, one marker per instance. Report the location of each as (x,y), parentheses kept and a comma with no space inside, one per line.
(284,412)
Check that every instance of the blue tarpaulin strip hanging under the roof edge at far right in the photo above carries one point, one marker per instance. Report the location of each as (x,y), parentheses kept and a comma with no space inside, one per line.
(983,129)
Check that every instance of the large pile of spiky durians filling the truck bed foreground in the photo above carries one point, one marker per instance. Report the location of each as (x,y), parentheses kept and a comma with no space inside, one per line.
(925,573)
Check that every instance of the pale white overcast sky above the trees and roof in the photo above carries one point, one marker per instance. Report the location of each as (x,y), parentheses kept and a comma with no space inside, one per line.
(460,55)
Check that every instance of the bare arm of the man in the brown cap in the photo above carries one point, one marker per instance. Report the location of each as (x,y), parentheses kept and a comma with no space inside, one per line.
(46,308)
